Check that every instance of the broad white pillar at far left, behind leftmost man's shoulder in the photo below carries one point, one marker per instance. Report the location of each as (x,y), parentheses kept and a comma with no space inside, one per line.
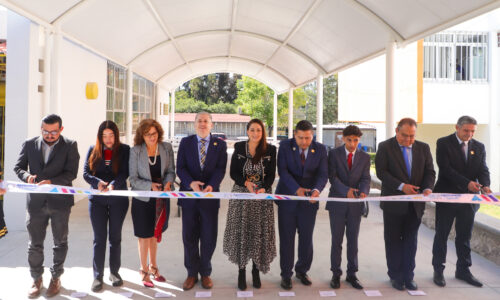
(23,106)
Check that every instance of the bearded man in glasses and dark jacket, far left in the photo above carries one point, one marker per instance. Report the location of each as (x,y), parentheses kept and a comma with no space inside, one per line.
(48,159)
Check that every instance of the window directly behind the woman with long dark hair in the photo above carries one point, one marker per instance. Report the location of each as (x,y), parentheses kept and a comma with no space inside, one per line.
(116,104)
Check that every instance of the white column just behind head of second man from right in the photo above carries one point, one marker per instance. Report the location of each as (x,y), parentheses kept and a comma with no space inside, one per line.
(389,89)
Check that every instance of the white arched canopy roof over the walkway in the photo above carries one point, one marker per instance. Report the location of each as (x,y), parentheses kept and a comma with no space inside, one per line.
(283,43)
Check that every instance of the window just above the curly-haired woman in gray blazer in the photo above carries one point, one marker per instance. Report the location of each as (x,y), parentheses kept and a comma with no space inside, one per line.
(142,100)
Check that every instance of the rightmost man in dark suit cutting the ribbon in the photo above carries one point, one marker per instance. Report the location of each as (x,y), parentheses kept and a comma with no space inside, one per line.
(462,170)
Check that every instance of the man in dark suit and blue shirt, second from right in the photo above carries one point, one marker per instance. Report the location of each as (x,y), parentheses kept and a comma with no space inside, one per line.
(404,166)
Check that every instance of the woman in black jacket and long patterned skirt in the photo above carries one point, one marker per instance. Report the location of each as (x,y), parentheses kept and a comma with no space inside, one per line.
(249,232)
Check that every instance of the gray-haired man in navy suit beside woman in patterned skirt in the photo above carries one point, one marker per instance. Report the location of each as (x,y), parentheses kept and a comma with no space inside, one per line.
(201,165)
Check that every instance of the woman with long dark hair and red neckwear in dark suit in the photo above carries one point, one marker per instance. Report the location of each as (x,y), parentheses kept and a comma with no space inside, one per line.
(106,169)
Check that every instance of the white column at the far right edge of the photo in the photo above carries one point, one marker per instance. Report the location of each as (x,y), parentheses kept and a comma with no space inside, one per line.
(493,154)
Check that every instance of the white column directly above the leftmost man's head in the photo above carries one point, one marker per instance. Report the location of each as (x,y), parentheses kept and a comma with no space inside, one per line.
(55,78)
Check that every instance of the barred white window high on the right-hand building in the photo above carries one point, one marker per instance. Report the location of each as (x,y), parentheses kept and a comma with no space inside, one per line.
(456,56)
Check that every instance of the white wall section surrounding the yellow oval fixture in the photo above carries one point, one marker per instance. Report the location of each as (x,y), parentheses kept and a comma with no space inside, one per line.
(81,117)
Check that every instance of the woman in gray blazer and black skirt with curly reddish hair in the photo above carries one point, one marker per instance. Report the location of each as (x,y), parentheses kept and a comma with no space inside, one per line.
(151,168)
